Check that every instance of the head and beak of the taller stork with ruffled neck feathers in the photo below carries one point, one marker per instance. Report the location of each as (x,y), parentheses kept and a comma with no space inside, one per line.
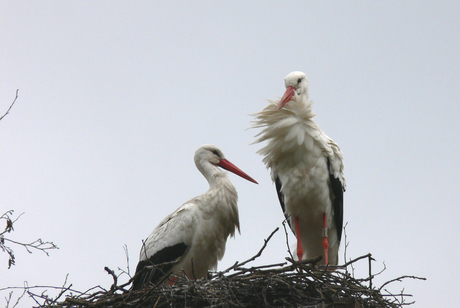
(296,89)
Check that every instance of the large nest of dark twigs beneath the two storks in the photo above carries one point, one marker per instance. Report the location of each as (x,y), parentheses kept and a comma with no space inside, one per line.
(289,284)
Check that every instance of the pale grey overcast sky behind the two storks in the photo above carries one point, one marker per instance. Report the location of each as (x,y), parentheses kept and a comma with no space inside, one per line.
(116,96)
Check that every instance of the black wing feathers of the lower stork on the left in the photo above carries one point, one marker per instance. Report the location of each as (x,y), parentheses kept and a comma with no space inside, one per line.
(159,269)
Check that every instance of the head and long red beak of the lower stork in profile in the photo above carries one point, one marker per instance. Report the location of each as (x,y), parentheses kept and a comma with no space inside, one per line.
(211,154)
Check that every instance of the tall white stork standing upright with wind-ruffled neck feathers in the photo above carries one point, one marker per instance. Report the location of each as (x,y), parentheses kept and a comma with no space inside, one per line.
(307,168)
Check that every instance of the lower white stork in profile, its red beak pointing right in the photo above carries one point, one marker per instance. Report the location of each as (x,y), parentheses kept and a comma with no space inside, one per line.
(192,239)
